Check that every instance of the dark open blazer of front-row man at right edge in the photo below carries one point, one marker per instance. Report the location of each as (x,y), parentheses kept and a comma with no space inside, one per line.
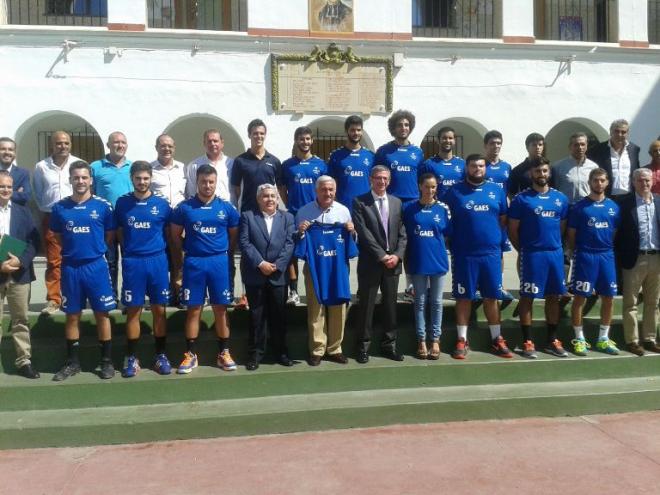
(626,240)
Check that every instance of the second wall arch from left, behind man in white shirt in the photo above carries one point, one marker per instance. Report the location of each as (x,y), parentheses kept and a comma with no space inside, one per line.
(188,130)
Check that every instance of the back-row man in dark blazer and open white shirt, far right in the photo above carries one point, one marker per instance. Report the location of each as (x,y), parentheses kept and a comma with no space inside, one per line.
(618,157)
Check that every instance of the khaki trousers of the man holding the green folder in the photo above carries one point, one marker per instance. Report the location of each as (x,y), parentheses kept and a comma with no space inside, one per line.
(17,296)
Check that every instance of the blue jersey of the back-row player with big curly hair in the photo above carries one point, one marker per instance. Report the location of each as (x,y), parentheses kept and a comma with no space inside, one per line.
(403,162)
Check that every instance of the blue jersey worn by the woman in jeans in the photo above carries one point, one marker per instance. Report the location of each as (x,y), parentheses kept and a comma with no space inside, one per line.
(426,226)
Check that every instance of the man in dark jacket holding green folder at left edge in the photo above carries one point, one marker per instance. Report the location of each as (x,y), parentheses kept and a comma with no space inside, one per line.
(16,273)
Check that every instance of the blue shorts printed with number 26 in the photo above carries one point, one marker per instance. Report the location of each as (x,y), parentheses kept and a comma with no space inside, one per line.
(542,272)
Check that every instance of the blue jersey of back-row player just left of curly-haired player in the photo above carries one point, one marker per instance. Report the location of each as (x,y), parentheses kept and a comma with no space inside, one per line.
(351,169)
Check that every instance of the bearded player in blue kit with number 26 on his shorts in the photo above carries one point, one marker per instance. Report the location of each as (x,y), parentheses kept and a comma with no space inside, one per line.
(537,221)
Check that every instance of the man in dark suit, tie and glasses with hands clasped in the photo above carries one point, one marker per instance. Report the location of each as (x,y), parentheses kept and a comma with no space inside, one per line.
(382,242)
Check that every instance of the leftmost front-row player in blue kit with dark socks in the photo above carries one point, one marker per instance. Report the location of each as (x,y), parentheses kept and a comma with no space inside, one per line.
(84,225)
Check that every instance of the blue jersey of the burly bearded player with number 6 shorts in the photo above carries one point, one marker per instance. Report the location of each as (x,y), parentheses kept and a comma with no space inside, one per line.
(476,212)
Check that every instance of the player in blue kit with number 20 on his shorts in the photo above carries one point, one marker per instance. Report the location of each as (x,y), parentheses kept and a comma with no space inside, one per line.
(592,225)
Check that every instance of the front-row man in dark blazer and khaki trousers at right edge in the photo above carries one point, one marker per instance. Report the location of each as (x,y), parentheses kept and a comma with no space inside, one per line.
(637,249)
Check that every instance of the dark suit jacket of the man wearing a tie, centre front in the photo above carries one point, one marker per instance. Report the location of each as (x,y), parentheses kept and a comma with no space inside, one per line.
(371,234)
